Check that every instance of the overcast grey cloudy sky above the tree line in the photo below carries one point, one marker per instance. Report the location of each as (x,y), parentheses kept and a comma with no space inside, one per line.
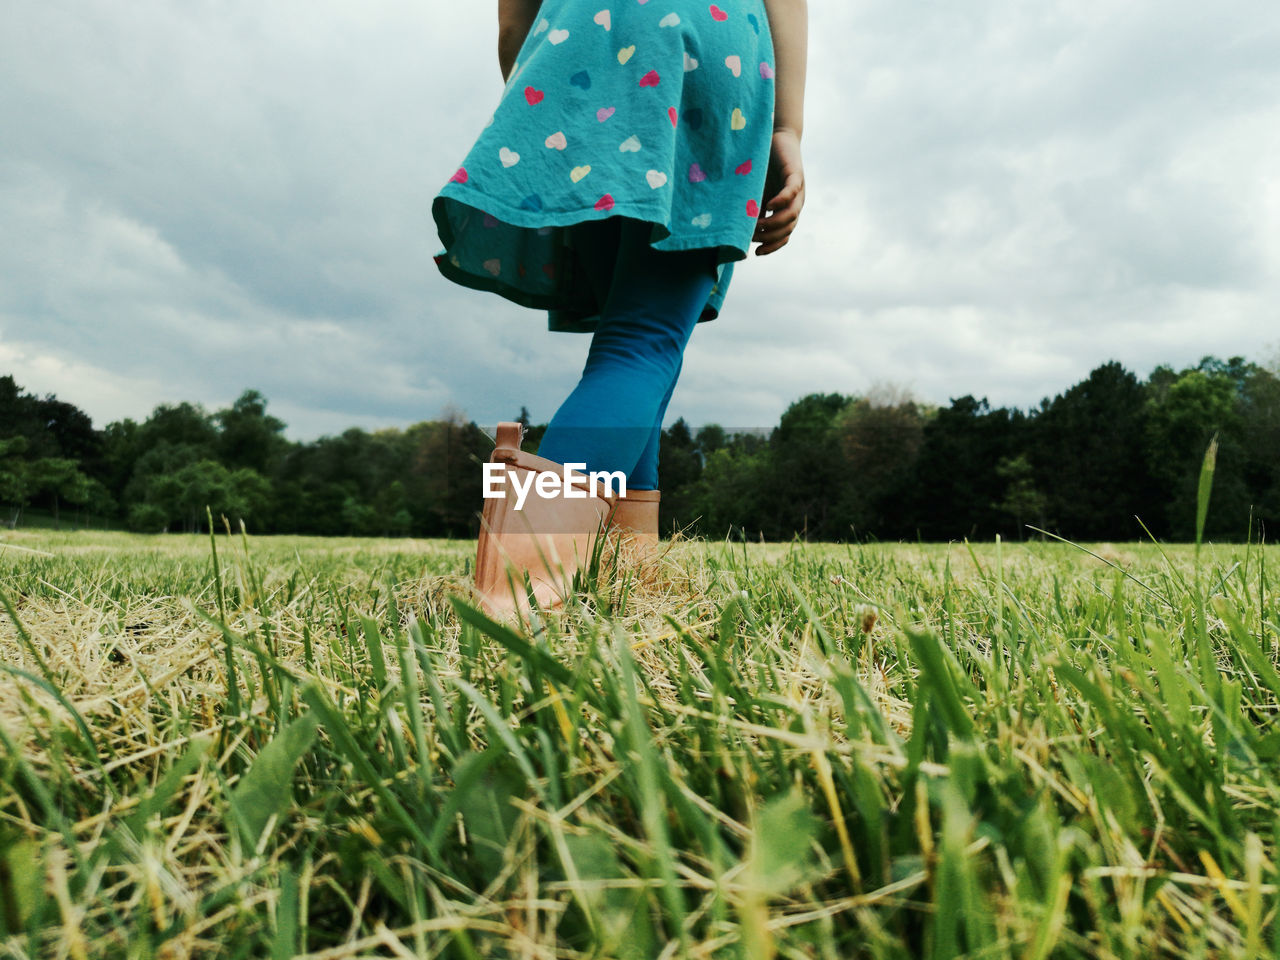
(202,196)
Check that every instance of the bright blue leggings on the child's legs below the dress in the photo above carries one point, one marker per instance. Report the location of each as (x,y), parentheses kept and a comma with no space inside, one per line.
(651,301)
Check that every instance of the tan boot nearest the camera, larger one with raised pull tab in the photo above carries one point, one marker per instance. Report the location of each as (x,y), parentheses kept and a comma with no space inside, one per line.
(548,540)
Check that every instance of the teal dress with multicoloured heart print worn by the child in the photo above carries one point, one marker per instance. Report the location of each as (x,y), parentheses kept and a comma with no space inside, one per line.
(660,111)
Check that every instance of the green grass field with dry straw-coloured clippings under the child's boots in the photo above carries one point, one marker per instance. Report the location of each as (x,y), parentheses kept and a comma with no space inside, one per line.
(307,748)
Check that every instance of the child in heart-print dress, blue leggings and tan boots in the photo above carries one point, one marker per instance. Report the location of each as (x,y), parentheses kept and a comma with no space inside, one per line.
(639,149)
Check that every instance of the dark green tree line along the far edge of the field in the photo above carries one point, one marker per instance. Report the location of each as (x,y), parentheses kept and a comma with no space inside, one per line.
(1113,458)
